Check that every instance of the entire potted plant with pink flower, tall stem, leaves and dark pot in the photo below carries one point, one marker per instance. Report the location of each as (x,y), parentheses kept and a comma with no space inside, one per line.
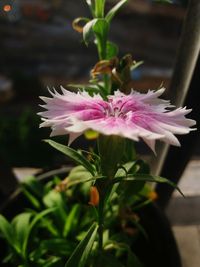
(100,213)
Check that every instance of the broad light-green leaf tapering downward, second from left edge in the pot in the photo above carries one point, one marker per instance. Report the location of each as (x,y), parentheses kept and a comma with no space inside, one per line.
(21,224)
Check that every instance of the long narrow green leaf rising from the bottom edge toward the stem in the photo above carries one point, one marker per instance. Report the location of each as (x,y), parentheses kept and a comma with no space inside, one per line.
(82,251)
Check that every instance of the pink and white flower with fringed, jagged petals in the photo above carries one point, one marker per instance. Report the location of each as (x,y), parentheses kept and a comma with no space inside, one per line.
(132,116)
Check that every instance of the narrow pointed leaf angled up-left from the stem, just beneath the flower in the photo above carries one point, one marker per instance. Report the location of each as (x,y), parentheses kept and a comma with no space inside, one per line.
(73,154)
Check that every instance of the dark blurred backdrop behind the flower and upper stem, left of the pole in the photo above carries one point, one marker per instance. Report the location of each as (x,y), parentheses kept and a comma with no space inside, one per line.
(39,48)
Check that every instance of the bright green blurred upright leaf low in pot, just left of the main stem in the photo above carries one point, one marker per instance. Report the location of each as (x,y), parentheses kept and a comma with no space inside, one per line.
(72,220)
